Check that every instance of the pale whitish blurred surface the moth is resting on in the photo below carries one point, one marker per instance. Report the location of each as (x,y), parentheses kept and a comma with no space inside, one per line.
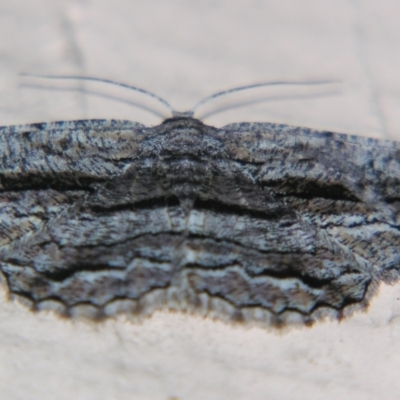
(184,50)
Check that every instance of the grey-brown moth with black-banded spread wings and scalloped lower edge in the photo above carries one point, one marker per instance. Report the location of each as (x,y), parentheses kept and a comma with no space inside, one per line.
(256,222)
